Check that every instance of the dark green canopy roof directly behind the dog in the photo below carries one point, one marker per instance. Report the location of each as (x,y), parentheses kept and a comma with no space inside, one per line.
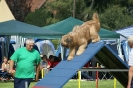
(67,25)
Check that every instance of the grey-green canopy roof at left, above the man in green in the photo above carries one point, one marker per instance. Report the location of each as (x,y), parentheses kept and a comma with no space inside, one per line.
(14,27)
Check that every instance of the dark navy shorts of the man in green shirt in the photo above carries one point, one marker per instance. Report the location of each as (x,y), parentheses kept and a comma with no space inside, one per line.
(22,82)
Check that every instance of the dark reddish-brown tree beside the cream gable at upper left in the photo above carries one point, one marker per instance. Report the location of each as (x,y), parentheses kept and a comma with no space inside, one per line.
(19,8)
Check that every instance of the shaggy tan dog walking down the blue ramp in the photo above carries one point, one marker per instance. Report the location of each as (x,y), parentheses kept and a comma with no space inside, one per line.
(81,35)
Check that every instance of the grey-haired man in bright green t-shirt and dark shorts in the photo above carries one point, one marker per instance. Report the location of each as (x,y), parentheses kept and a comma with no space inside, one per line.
(26,59)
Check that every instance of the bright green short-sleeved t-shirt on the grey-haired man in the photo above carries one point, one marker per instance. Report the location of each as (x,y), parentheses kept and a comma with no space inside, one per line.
(26,62)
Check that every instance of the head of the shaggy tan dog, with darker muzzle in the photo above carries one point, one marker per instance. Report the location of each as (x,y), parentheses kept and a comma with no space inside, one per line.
(66,40)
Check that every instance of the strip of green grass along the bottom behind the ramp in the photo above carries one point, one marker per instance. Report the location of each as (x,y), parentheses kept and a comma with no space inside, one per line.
(74,84)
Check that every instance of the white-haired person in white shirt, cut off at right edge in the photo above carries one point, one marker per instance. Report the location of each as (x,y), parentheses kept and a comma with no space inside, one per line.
(130,62)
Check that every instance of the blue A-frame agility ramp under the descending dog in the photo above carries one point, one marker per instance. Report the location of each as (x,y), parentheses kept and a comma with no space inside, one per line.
(65,70)
